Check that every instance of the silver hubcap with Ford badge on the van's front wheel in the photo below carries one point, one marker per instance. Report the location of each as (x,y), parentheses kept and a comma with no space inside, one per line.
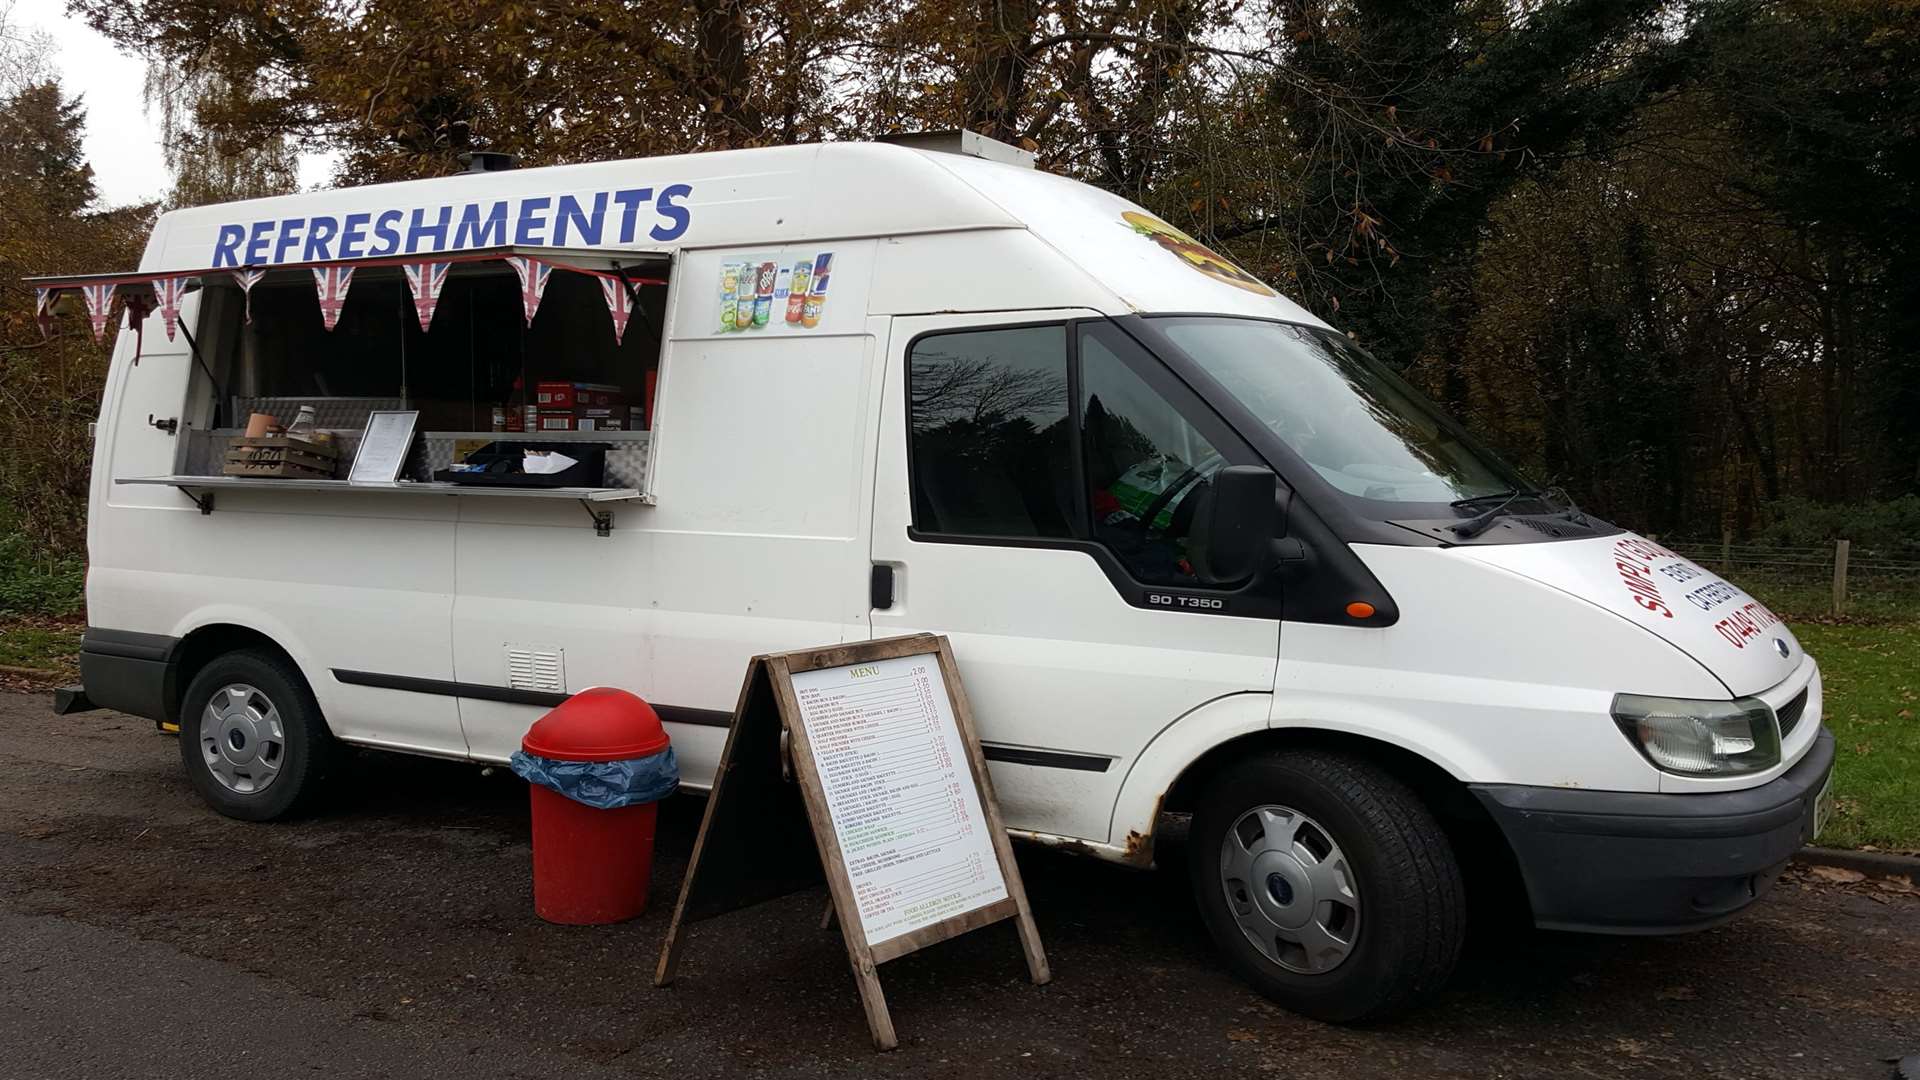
(1291,889)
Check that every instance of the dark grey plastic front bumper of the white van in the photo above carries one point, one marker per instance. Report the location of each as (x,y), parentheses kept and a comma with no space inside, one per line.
(1656,864)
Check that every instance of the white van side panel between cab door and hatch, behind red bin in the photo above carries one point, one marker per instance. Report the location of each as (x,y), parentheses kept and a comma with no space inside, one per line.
(757,541)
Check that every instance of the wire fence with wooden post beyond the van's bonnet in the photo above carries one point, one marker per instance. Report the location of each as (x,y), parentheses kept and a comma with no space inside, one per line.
(1815,581)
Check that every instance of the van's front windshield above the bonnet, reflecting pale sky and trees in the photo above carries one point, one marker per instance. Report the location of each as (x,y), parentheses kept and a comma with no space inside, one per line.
(1360,428)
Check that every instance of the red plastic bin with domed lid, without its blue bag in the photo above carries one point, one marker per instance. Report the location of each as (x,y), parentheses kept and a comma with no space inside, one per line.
(592,866)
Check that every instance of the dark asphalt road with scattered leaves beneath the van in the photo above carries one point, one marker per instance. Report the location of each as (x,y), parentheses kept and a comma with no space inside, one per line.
(395,937)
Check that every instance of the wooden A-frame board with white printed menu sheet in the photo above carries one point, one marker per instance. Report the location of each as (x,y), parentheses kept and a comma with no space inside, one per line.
(869,750)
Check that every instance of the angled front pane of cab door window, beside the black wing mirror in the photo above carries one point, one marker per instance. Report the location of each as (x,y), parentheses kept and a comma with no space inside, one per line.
(1149,472)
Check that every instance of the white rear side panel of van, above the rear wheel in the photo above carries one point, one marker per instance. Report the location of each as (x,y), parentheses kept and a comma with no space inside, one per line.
(339,581)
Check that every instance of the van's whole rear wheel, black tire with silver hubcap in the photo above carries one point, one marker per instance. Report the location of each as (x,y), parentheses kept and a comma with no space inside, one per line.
(252,737)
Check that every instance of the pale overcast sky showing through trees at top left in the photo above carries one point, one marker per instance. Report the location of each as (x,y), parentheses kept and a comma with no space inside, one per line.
(122,139)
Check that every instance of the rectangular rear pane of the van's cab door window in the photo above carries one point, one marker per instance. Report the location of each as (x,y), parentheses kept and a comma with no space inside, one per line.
(990,433)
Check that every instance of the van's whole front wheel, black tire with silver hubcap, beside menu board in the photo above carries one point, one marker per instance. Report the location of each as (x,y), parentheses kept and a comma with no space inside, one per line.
(1341,871)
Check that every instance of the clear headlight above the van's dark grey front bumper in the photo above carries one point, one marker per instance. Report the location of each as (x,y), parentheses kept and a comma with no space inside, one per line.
(1702,739)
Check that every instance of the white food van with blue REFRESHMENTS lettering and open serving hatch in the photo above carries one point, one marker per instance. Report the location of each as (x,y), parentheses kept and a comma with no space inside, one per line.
(1193,549)
